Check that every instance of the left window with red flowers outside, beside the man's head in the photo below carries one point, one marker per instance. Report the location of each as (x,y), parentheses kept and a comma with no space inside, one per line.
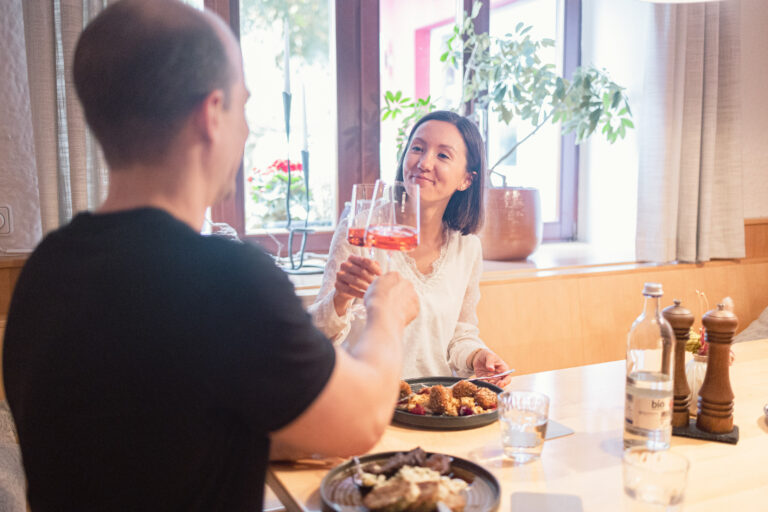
(332,44)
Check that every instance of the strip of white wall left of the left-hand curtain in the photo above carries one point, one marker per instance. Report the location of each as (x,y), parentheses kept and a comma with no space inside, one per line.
(18,177)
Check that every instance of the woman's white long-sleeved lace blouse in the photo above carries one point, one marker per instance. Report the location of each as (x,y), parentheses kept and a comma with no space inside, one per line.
(444,334)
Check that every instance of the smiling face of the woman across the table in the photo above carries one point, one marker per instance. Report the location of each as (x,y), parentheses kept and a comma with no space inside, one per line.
(436,160)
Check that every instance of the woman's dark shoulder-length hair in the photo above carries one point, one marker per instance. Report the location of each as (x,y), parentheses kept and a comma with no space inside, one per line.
(464,212)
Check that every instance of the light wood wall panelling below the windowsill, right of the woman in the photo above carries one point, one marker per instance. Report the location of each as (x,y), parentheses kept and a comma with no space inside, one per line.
(566,320)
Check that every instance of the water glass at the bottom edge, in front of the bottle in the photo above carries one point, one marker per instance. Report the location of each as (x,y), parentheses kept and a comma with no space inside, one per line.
(654,481)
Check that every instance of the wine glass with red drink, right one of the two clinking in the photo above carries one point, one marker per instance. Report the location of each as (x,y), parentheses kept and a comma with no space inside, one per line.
(394,218)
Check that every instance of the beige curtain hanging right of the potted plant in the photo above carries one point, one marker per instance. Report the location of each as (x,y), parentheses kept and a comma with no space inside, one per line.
(690,205)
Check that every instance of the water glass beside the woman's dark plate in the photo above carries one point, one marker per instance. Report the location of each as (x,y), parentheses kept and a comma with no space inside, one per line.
(523,416)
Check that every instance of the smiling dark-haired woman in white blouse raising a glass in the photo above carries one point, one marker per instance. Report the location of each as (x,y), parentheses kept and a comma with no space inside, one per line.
(445,156)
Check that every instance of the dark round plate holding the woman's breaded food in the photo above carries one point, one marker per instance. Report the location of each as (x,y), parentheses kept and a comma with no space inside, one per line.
(444,422)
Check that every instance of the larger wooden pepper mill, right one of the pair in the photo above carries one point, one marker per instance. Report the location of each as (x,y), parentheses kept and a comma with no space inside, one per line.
(715,406)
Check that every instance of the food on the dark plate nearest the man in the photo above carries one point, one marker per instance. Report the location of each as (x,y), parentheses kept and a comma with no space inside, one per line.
(413,482)
